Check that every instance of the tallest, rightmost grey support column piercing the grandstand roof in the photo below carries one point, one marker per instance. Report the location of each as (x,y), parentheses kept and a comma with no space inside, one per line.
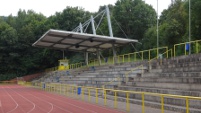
(111,33)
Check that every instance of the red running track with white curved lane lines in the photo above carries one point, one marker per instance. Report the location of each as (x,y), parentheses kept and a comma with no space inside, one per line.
(20,99)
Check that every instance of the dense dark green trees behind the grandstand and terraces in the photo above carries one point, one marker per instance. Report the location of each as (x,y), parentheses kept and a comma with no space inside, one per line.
(136,18)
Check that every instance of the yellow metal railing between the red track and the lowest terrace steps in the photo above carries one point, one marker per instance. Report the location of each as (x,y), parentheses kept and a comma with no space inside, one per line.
(89,92)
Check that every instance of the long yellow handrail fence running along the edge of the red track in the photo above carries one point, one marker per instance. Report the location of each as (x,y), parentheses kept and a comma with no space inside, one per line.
(68,90)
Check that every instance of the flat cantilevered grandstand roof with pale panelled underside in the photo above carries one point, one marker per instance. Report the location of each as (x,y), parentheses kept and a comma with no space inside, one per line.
(73,41)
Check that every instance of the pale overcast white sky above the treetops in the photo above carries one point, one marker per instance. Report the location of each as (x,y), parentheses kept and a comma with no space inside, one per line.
(49,7)
